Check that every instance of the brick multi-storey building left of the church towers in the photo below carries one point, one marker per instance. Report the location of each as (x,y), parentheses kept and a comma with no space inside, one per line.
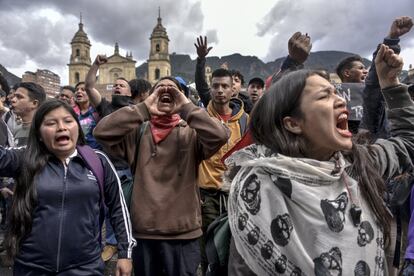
(47,79)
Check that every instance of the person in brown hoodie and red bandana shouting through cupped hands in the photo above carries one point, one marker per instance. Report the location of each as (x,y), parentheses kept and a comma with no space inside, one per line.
(165,203)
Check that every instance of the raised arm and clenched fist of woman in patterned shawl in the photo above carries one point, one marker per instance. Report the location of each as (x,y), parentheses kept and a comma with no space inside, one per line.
(394,155)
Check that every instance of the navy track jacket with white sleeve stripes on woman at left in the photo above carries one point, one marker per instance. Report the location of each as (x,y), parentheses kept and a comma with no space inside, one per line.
(65,229)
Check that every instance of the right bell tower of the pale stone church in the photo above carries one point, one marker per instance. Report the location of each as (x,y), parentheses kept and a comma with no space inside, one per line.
(159,60)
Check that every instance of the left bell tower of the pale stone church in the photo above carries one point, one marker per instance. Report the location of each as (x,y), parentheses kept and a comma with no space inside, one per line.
(80,59)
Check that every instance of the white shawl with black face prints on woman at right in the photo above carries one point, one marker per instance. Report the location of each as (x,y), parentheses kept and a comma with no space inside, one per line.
(291,216)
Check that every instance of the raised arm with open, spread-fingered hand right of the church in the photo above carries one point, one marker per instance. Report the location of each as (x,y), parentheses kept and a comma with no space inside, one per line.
(200,73)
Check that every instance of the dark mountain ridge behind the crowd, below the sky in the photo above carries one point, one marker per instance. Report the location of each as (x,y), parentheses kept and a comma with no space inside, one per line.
(249,66)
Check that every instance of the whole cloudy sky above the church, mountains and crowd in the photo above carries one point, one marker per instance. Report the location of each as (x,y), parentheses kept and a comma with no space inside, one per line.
(37,34)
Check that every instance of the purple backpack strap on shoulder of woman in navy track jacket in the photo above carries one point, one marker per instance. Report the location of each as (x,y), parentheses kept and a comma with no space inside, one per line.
(95,165)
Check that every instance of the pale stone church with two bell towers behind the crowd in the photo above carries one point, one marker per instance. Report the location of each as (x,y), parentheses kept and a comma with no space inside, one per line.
(118,65)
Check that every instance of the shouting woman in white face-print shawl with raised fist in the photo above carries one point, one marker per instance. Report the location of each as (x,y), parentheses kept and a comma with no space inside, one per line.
(305,199)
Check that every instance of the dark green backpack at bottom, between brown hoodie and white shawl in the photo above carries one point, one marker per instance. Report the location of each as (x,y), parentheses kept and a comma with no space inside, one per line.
(218,238)
